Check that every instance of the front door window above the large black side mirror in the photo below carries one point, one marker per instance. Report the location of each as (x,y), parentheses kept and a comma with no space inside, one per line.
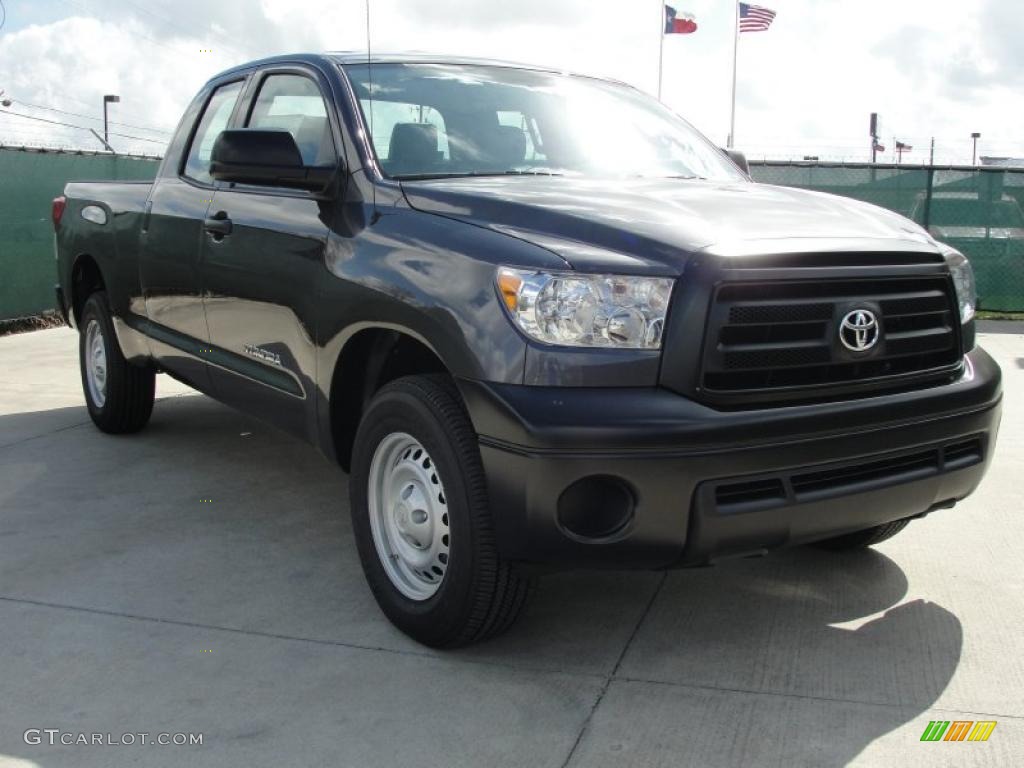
(294,104)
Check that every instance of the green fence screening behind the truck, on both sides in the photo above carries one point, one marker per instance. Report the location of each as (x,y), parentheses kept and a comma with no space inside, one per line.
(977,210)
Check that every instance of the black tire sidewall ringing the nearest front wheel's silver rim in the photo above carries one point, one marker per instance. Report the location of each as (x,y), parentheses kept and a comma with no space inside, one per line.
(400,411)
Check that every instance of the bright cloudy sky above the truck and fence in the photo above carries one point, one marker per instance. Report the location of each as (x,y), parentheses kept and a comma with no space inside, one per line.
(805,88)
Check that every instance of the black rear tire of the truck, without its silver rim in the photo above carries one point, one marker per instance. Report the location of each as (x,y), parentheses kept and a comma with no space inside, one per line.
(130,390)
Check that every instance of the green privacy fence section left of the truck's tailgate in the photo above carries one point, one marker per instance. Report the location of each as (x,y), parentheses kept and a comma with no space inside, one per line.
(29,182)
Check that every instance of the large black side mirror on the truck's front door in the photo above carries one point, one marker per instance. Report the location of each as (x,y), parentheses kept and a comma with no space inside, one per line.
(249,156)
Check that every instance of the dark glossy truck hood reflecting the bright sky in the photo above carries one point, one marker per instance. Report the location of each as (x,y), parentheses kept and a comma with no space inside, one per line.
(654,226)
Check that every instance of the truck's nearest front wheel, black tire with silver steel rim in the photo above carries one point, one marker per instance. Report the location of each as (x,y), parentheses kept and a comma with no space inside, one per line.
(419,506)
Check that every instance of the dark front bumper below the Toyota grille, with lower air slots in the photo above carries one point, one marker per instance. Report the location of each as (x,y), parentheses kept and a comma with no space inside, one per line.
(708,484)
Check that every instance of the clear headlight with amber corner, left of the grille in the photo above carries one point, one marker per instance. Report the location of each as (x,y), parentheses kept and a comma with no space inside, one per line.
(587,311)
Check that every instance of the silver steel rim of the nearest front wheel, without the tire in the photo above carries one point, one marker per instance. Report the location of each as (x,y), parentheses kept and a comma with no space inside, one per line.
(409,518)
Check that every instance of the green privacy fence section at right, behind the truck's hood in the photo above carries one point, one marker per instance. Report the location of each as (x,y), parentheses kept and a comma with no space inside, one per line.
(979,211)
